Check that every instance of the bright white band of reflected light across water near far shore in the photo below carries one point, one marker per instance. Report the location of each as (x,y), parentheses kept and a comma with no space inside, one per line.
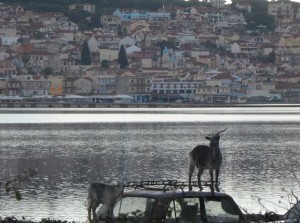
(145,118)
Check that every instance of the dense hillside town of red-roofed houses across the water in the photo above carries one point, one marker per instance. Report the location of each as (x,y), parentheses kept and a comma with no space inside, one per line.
(201,54)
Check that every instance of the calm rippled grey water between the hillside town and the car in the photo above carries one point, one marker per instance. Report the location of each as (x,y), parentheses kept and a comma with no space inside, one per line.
(71,148)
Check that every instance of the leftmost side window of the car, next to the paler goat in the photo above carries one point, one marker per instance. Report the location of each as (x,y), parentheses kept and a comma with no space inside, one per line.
(133,208)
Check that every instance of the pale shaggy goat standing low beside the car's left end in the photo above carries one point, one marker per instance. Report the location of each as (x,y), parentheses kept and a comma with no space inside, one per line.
(99,193)
